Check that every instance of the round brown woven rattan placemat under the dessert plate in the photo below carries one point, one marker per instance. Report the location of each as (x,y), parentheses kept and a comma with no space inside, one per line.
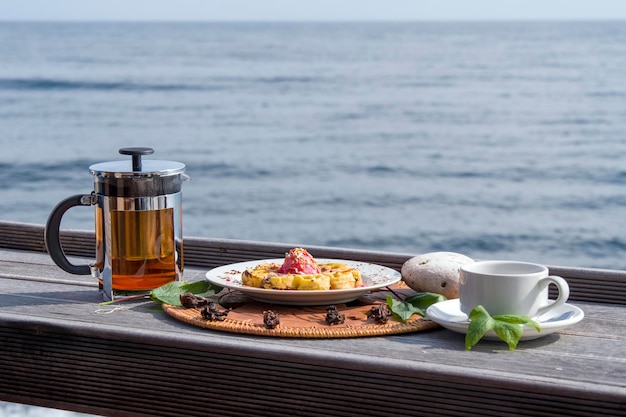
(303,322)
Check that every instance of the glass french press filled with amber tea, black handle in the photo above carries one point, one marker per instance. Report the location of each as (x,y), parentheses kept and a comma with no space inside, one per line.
(138,224)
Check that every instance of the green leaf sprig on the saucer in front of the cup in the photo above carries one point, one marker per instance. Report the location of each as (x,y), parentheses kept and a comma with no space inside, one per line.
(506,326)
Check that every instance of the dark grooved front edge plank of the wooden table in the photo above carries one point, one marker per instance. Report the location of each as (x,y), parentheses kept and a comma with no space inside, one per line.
(156,374)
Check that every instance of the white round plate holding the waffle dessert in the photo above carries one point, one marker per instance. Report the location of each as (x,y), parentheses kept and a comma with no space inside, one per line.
(373,276)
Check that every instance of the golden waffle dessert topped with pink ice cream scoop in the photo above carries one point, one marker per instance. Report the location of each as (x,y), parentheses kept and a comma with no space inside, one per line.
(300,271)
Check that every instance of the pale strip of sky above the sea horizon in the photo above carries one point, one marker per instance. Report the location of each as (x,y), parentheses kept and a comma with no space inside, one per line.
(311,10)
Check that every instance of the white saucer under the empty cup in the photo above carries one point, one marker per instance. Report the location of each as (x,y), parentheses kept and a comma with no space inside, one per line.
(449,315)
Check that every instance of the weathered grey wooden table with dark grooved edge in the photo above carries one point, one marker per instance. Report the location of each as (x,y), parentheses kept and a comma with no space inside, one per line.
(60,348)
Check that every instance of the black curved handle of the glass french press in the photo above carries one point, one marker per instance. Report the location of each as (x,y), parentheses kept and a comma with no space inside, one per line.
(52,235)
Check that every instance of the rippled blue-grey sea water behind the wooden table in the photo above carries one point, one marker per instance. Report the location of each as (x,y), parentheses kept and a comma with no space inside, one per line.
(496,140)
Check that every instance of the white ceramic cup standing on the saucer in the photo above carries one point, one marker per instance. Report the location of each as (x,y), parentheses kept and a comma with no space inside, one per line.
(509,287)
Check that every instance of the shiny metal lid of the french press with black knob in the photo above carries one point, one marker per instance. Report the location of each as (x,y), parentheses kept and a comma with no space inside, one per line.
(136,177)
